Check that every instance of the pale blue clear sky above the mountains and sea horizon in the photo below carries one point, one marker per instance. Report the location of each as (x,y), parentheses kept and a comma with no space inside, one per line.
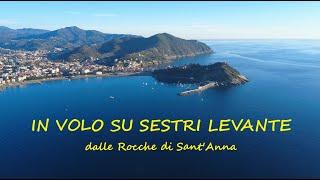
(191,20)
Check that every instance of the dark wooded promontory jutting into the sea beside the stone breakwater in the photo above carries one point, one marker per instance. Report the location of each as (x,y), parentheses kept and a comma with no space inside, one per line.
(220,72)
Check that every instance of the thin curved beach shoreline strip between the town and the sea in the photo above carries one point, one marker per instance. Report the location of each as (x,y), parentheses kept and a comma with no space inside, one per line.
(39,81)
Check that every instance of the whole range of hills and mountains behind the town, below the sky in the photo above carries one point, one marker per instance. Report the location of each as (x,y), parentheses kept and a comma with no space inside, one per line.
(75,44)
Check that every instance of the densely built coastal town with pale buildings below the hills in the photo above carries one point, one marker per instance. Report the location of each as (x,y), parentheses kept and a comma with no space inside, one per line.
(19,66)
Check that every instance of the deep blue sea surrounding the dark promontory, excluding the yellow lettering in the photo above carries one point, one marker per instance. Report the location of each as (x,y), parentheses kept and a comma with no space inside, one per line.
(284,83)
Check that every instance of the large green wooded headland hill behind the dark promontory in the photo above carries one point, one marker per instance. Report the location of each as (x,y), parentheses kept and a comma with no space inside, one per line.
(160,47)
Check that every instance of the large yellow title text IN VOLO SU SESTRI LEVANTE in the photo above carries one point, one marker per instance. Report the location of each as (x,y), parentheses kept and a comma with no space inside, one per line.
(164,125)
